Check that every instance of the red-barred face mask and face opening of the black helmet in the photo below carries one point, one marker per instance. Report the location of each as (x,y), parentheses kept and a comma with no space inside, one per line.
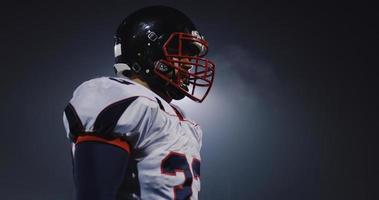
(189,71)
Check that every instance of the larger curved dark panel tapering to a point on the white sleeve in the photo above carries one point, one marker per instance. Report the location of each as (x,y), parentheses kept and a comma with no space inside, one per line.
(107,120)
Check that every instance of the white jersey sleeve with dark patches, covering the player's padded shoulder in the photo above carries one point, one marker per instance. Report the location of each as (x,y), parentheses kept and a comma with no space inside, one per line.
(109,109)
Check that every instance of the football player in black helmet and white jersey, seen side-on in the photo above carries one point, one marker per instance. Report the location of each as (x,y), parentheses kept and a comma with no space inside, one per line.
(129,141)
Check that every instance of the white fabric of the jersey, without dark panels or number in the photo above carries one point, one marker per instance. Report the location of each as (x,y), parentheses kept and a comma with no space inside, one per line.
(151,132)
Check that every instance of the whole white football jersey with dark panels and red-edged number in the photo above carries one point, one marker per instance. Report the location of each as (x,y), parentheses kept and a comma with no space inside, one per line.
(164,144)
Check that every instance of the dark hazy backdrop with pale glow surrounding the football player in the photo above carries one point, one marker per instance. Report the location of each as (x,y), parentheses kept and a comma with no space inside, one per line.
(292,114)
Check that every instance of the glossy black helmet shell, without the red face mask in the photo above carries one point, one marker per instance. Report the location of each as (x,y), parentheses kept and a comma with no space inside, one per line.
(142,35)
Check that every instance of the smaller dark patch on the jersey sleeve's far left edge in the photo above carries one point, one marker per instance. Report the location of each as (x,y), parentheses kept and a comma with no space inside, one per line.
(74,122)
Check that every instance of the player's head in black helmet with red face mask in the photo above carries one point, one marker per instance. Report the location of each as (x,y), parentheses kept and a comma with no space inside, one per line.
(162,46)
